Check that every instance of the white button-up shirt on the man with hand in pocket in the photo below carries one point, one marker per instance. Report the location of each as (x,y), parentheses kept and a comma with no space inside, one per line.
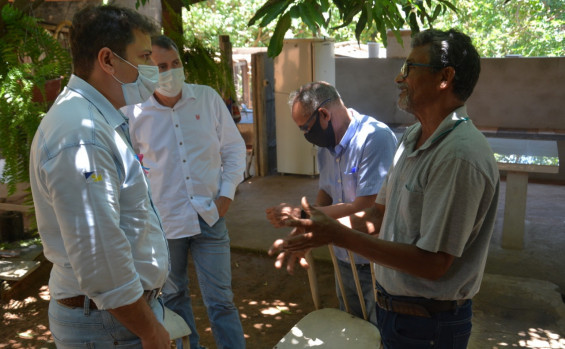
(192,152)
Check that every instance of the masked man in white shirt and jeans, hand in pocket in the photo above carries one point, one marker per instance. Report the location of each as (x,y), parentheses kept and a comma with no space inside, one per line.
(194,157)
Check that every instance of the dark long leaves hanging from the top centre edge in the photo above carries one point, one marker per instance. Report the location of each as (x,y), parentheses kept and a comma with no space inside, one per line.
(378,15)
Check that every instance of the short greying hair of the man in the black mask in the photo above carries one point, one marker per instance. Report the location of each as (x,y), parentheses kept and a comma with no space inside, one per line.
(313,94)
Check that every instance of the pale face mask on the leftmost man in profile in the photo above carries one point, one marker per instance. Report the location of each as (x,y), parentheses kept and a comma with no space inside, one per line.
(143,87)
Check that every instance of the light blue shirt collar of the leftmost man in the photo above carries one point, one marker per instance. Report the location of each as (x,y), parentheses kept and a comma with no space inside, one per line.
(113,117)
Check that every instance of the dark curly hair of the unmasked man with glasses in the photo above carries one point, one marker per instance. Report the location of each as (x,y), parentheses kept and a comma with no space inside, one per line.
(453,49)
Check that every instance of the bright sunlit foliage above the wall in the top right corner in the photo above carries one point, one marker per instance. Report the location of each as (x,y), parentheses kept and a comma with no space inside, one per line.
(500,27)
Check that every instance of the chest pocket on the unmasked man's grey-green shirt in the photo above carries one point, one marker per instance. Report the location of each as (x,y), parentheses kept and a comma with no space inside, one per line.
(410,209)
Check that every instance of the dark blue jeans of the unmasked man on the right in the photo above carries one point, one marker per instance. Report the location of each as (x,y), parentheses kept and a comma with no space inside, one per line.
(443,330)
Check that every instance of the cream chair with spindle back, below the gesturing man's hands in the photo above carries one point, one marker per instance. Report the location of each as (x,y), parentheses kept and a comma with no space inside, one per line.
(329,327)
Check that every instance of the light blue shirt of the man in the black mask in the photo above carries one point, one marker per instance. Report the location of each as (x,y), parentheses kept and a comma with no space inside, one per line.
(358,165)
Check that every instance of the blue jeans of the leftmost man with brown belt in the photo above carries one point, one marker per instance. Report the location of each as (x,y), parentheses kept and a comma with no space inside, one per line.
(84,328)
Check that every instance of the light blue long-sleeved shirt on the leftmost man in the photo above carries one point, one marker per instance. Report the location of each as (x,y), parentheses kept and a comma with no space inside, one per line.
(92,203)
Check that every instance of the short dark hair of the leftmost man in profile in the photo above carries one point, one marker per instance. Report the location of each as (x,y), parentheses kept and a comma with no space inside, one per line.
(96,27)
